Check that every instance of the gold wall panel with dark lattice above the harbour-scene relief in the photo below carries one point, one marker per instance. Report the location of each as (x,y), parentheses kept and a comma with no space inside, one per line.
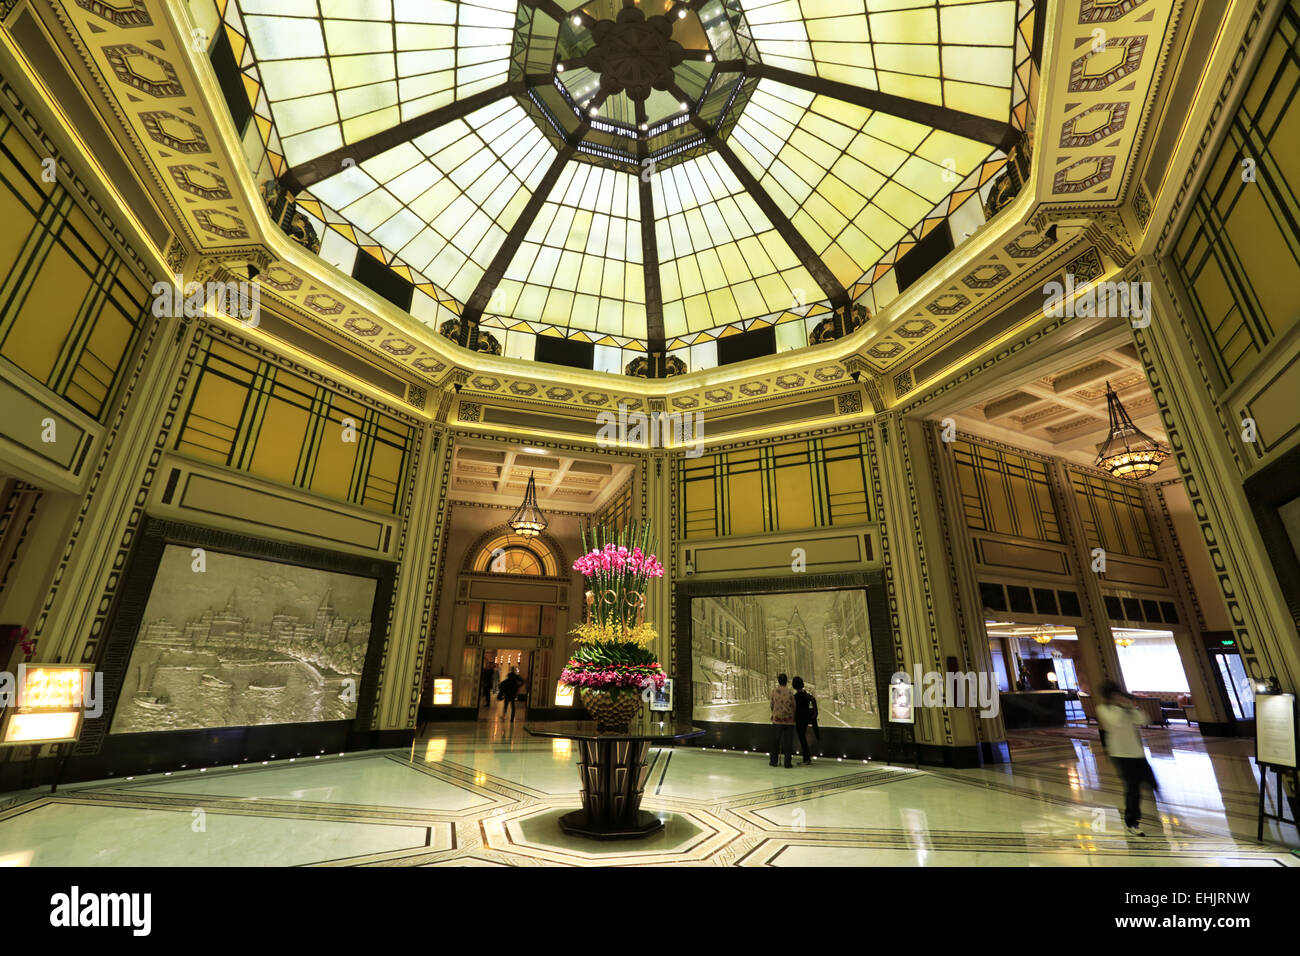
(252,416)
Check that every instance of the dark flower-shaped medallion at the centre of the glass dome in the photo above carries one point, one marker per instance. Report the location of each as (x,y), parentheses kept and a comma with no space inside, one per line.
(634,54)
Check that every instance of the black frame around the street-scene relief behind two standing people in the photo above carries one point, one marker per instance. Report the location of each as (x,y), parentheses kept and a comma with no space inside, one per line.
(856,743)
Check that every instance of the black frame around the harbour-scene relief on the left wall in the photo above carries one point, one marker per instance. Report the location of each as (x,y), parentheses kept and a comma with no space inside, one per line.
(99,754)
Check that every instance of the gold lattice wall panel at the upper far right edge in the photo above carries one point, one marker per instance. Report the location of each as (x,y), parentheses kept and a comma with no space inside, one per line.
(1240,252)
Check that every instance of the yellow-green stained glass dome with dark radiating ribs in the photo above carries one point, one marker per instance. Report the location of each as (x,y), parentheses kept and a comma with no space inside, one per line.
(638,175)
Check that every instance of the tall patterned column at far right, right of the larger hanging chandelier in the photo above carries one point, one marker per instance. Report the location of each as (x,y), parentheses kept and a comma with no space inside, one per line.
(1204,443)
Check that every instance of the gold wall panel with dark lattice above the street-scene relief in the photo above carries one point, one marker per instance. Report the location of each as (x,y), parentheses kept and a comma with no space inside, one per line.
(813,483)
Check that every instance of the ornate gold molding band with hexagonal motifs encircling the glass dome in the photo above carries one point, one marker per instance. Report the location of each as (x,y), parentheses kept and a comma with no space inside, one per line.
(170,103)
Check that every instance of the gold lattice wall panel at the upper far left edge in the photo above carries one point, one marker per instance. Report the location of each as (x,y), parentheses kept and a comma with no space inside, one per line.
(70,308)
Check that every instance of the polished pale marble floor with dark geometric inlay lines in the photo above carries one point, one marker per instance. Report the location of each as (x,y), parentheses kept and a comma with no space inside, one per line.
(489,795)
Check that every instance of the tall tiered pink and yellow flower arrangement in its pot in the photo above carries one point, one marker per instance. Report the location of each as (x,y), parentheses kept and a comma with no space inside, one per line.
(613,660)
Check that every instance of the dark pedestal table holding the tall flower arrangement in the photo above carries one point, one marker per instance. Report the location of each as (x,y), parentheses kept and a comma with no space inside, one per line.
(613,776)
